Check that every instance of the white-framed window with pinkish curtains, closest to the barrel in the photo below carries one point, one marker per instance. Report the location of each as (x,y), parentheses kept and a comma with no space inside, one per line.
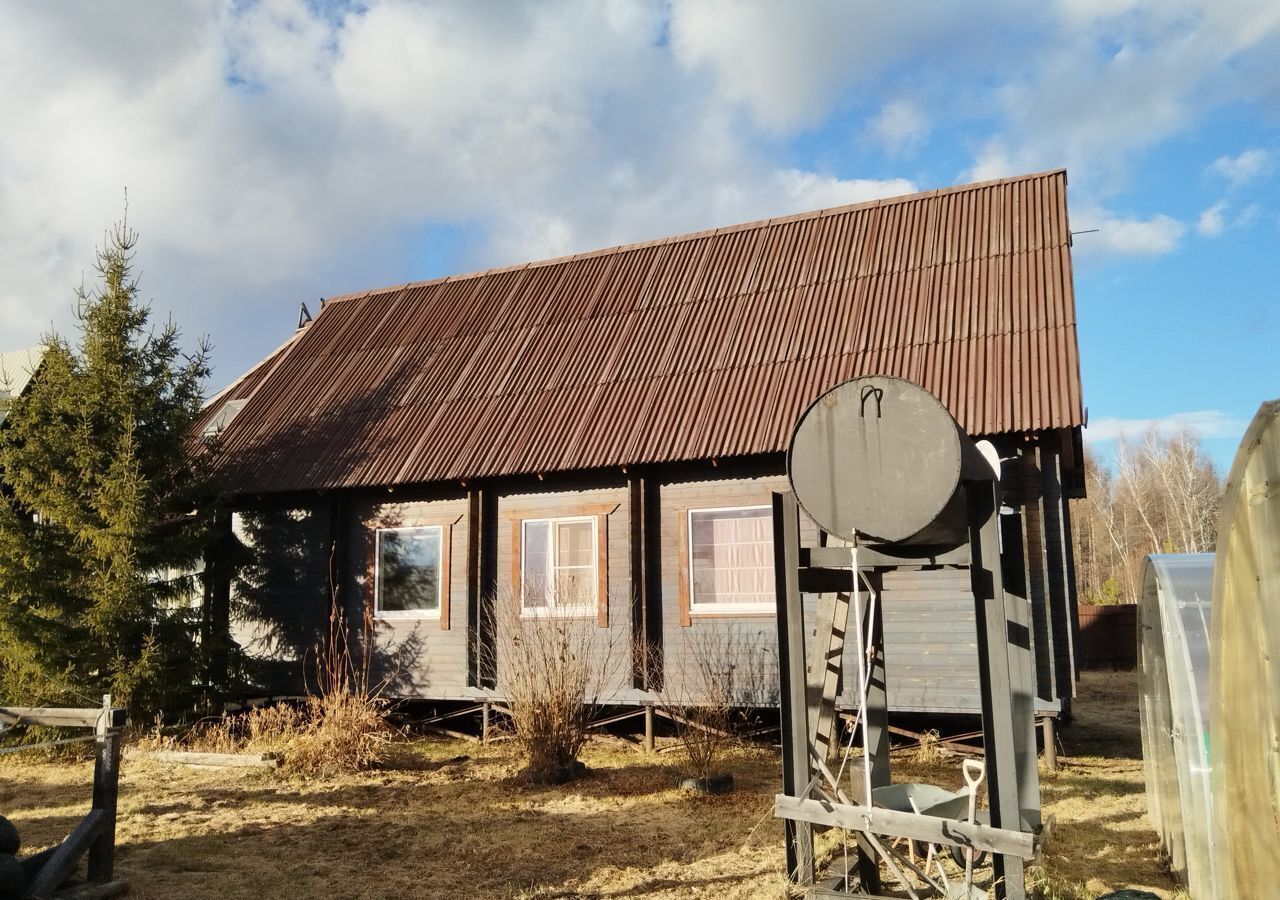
(732,560)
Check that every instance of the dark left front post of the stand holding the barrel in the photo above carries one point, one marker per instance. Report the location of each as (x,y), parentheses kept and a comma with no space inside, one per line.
(792,674)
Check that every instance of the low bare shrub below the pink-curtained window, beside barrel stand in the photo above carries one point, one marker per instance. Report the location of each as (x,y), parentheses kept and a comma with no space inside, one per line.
(724,674)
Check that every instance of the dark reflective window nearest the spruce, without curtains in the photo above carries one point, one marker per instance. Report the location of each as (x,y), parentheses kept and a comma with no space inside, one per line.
(409,575)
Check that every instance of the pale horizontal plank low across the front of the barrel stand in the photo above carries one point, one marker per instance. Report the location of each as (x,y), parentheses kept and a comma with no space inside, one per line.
(953,833)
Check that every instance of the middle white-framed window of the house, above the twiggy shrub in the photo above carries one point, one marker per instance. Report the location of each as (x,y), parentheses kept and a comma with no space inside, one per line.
(559,567)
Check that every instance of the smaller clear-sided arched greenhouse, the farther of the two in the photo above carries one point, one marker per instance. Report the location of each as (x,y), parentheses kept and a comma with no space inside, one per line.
(1174,648)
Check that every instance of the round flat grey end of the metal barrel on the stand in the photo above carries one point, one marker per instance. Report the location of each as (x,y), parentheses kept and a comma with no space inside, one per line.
(876,456)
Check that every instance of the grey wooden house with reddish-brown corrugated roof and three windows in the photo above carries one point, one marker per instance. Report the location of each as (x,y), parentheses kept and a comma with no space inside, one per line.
(619,419)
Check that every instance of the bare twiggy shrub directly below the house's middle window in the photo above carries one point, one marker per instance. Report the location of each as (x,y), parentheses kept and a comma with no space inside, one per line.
(554,671)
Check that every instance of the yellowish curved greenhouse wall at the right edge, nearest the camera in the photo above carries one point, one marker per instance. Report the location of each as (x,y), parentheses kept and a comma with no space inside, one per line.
(1246,668)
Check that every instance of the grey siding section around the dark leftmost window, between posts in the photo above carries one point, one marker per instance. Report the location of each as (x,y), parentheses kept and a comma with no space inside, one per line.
(422,657)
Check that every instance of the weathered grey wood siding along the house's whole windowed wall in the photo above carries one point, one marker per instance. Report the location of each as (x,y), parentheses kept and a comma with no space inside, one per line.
(929,614)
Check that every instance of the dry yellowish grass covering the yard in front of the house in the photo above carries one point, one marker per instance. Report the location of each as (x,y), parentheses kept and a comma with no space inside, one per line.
(441,826)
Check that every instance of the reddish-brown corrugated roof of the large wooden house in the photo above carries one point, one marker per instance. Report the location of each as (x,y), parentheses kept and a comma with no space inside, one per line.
(692,348)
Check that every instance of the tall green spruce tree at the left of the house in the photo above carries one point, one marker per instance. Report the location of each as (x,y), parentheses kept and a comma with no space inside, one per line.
(99,523)
